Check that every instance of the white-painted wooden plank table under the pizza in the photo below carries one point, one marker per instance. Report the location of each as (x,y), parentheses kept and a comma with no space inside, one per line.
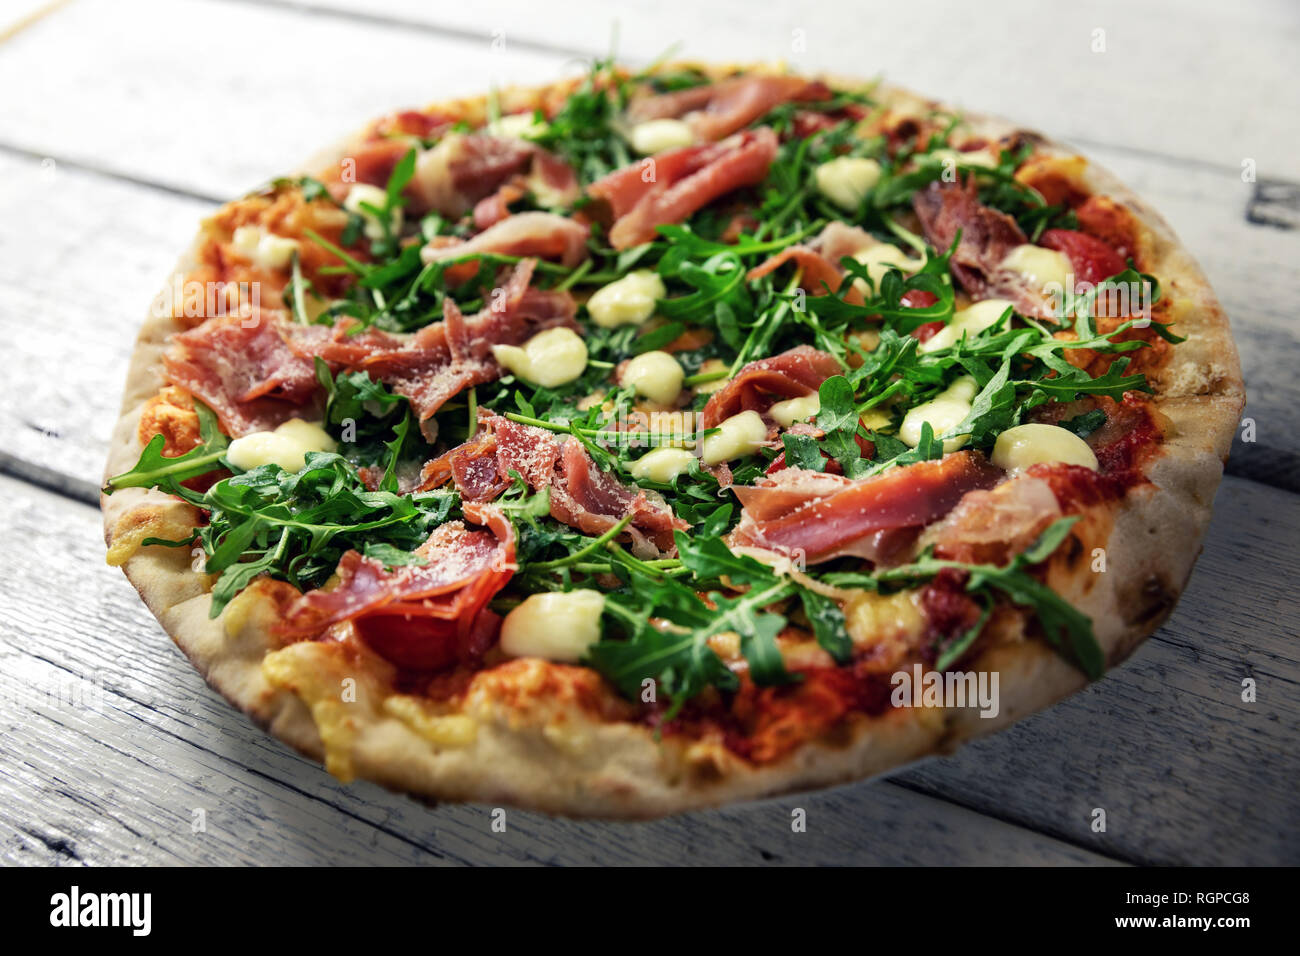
(122,124)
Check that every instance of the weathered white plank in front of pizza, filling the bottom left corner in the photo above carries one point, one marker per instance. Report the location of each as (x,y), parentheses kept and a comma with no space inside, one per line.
(111,742)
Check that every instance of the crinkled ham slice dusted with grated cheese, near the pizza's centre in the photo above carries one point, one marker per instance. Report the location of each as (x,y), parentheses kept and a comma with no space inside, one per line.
(582,495)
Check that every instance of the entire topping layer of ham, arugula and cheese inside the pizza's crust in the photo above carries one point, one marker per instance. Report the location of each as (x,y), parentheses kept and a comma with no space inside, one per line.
(770,374)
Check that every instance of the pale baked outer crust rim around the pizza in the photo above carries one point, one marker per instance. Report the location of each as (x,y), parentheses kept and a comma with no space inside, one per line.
(554,758)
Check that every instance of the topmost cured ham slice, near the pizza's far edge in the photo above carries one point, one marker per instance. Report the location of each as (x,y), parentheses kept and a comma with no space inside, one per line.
(721,109)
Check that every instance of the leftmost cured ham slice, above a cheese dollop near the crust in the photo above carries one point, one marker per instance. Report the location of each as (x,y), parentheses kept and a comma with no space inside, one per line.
(242,369)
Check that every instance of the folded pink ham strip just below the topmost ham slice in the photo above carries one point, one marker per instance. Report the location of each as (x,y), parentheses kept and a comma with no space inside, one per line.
(675,184)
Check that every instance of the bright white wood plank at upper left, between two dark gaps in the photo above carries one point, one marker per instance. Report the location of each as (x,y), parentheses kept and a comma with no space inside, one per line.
(161,90)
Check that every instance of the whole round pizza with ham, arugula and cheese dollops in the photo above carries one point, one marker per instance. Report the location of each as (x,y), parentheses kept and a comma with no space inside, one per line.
(651,442)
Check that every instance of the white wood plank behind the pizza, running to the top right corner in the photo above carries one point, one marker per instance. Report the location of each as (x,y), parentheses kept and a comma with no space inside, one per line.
(1193,79)
